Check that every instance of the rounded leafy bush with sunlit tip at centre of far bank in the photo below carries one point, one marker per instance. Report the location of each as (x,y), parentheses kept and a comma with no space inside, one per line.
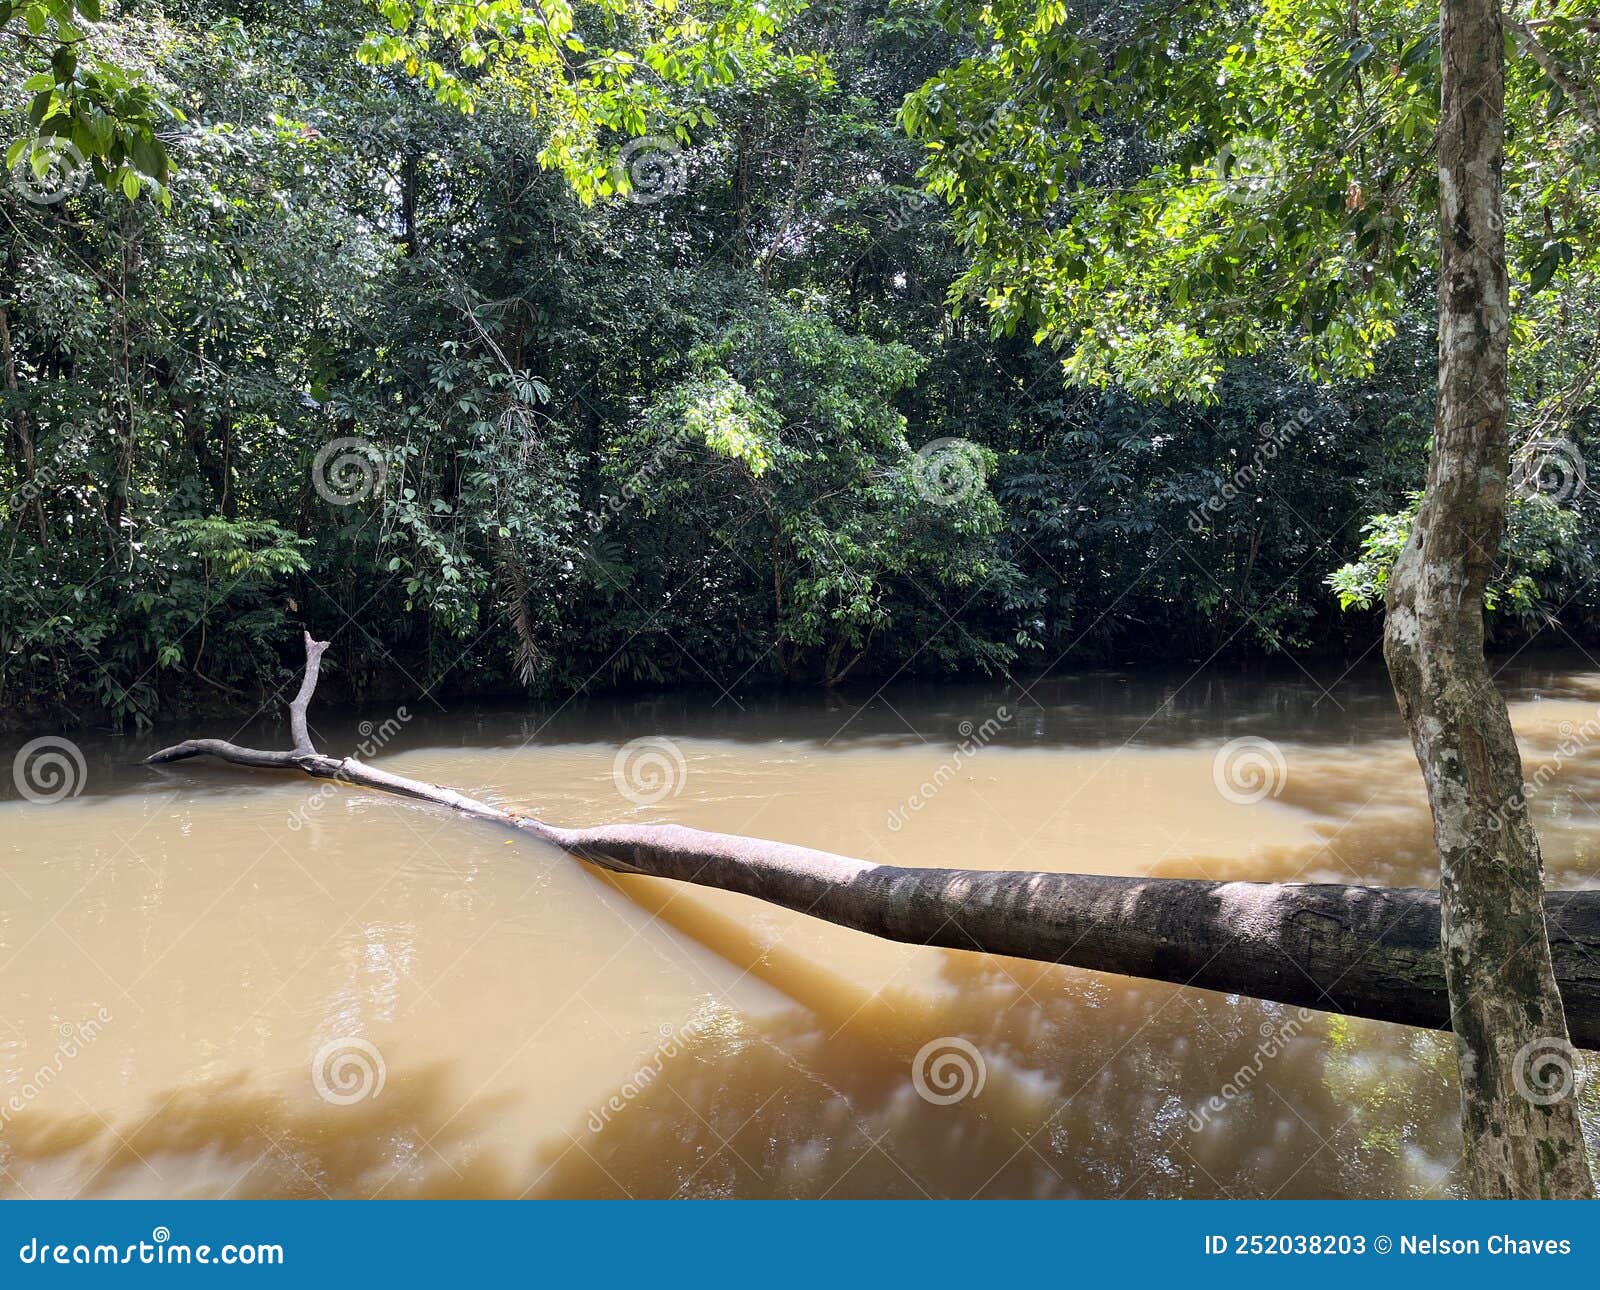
(799,465)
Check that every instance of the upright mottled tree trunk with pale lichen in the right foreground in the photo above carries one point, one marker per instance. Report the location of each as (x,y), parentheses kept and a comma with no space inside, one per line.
(1506,1011)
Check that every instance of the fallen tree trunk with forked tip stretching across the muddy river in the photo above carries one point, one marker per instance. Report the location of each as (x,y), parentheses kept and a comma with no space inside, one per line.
(1364,951)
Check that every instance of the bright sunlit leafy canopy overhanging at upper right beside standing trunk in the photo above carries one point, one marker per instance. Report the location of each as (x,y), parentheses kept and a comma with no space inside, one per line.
(1271,188)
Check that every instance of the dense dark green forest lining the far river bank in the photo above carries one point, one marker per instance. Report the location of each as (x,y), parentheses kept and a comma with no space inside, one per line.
(366,363)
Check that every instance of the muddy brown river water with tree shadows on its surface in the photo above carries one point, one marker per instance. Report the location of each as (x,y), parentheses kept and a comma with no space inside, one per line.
(254,985)
